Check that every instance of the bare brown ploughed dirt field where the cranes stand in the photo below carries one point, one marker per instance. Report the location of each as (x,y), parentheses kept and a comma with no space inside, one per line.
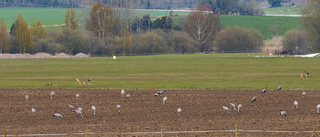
(201,111)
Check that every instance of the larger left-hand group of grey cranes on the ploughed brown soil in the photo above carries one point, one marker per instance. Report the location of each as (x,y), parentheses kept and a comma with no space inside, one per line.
(78,111)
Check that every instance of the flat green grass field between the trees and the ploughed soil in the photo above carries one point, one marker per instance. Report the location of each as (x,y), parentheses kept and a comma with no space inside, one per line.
(195,71)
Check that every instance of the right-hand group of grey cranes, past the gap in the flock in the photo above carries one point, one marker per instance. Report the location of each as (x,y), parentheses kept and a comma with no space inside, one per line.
(282,113)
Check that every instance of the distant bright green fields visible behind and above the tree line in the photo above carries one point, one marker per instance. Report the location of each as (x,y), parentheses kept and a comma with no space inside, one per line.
(55,16)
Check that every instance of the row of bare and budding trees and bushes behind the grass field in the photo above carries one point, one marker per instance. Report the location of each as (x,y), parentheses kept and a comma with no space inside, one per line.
(107,33)
